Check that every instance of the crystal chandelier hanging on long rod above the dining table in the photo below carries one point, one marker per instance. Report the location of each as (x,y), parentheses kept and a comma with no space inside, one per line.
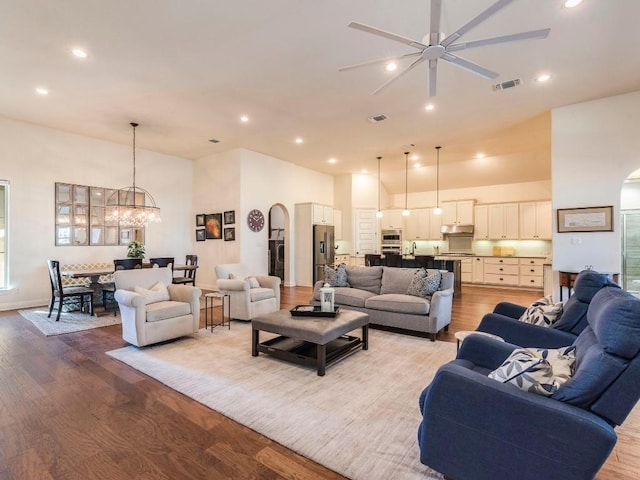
(134,206)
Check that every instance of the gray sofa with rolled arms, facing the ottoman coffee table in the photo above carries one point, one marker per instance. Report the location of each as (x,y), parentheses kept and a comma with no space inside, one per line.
(381,292)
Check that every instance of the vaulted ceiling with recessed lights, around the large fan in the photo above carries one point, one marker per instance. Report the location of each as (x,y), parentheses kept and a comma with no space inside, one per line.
(187,71)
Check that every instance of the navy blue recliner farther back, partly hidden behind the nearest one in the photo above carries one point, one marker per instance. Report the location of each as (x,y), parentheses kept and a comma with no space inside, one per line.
(503,321)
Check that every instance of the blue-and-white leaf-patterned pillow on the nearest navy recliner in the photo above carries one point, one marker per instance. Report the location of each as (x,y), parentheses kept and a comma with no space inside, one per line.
(537,370)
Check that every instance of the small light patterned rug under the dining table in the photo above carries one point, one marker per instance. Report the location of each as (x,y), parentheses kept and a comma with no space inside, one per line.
(68,323)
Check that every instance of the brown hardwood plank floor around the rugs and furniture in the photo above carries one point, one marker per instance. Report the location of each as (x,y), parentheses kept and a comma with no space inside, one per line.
(68,411)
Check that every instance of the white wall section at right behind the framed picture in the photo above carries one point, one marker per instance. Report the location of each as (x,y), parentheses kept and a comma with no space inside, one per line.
(595,146)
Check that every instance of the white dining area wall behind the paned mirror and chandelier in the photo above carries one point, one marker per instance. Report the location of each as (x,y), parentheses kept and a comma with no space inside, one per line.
(33,158)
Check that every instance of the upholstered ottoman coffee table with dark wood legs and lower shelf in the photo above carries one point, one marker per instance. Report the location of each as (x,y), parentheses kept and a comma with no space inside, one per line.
(312,341)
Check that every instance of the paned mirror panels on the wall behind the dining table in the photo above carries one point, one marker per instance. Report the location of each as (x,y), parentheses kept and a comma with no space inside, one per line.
(81,213)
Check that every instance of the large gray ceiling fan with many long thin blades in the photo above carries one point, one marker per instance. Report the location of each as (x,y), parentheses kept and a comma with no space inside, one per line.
(431,49)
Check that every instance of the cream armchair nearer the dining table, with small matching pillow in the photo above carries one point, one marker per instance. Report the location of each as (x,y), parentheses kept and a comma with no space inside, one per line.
(153,312)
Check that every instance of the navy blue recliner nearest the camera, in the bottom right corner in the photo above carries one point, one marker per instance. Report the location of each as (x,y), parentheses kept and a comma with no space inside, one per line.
(477,428)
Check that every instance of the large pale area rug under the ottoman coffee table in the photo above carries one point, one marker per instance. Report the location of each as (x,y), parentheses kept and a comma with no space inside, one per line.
(360,420)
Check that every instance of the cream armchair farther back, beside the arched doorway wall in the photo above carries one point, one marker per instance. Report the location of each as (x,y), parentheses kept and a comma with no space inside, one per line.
(247,302)
